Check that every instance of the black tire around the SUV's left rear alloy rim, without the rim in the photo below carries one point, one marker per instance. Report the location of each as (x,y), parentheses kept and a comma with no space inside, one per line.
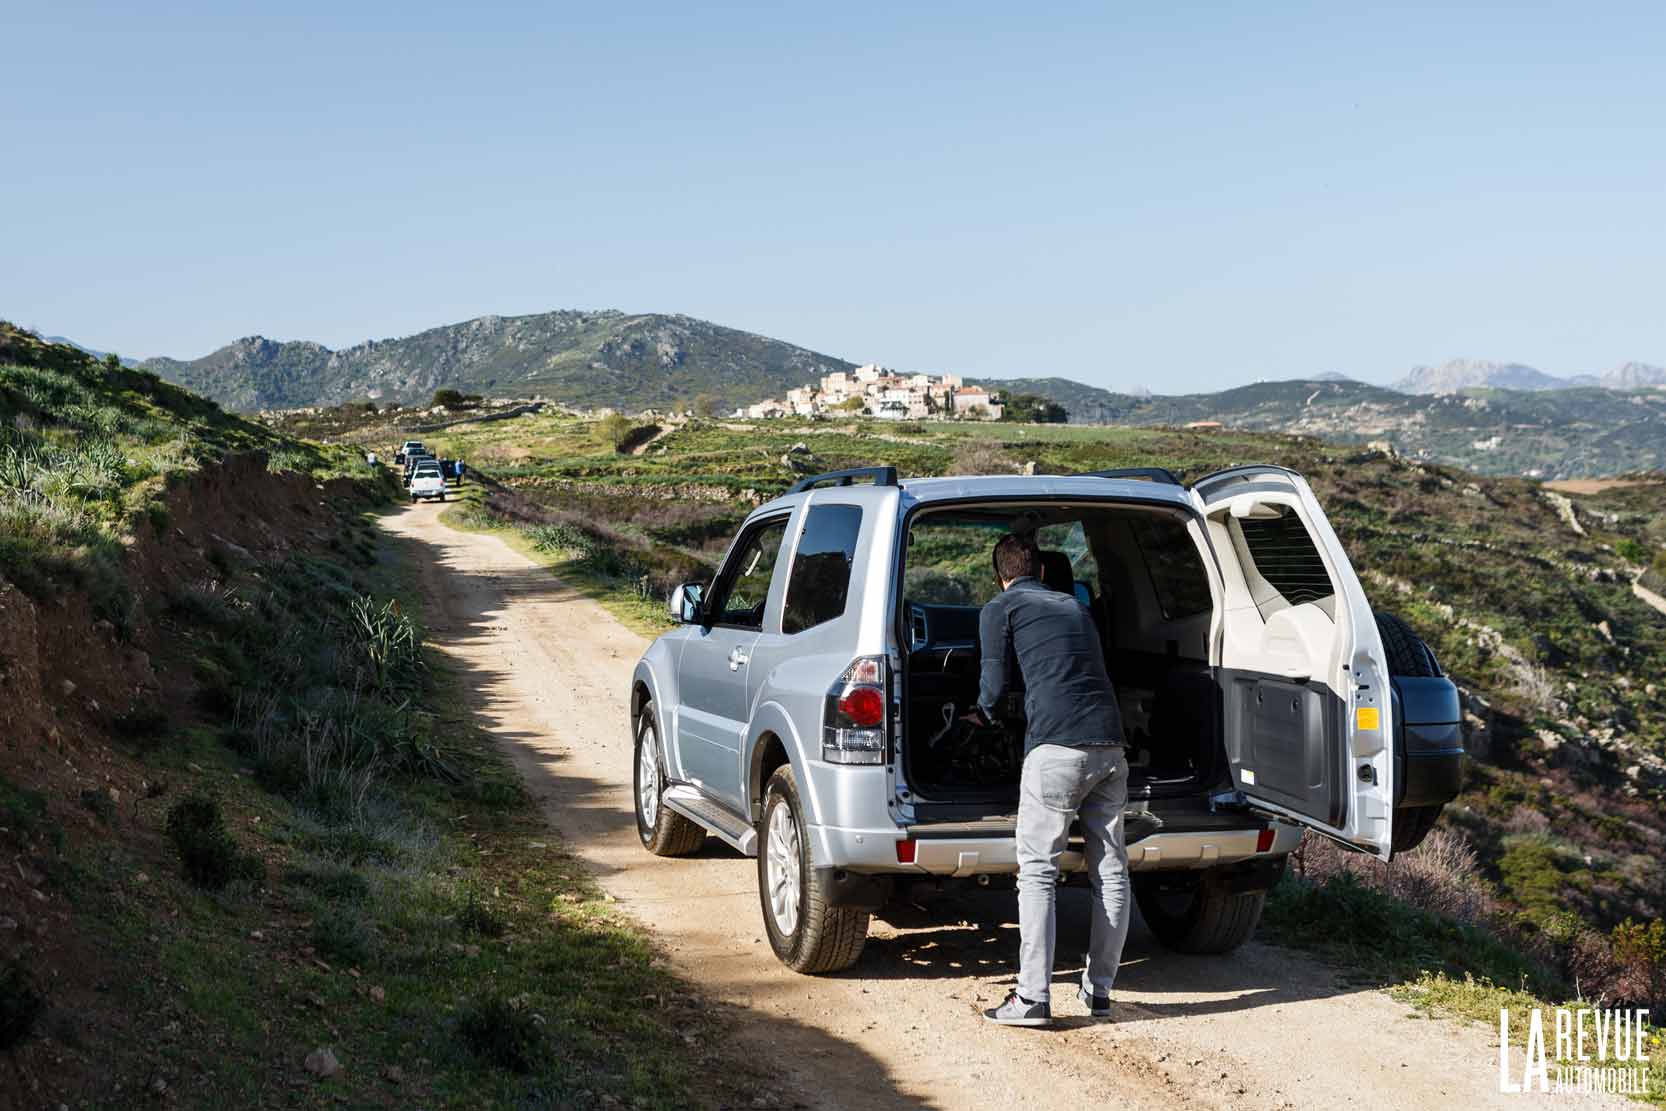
(824,939)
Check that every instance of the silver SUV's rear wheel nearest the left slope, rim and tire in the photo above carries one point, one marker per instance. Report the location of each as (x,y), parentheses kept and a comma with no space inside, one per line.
(806,929)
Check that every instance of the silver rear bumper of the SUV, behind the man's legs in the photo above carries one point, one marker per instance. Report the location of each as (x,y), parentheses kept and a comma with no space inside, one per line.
(937,854)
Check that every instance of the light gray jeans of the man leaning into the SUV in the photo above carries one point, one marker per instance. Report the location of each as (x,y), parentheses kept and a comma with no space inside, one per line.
(1055,785)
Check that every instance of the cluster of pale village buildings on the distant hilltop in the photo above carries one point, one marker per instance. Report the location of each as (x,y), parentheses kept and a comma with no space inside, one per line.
(874,391)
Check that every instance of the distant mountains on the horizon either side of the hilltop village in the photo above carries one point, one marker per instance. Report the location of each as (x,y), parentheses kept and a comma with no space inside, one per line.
(1489,417)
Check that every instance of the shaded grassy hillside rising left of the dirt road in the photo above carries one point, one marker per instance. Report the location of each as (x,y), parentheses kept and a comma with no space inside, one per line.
(399,900)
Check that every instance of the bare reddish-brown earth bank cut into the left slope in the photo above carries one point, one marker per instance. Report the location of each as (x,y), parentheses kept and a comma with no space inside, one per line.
(81,700)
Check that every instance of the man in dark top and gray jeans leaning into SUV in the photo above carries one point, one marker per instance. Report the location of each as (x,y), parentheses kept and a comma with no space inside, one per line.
(1074,764)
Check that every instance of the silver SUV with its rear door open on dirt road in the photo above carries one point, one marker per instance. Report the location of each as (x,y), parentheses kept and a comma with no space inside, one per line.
(807,709)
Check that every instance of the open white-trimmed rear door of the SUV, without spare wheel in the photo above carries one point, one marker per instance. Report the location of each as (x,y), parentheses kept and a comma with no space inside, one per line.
(1299,659)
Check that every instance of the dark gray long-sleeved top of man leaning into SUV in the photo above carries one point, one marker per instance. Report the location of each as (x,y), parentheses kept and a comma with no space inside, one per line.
(1069,697)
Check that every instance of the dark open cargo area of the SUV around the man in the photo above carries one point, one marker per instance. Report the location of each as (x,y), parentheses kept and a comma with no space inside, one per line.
(1139,572)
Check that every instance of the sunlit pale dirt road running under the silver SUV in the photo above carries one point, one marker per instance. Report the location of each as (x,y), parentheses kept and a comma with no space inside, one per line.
(1260,1029)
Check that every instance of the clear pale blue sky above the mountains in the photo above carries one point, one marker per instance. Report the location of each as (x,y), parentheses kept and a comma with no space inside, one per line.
(1182,197)
